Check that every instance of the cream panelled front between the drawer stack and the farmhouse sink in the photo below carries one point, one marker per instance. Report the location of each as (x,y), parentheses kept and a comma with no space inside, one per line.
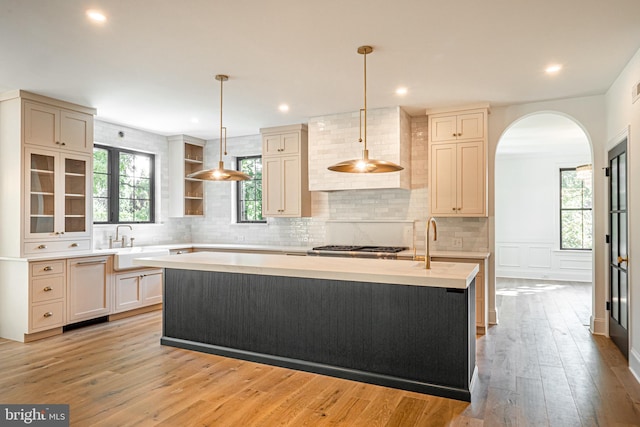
(88,288)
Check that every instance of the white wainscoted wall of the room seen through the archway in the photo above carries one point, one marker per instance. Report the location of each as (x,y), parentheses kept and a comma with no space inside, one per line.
(527,218)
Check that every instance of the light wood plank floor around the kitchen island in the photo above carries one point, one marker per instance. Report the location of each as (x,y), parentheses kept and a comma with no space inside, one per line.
(539,367)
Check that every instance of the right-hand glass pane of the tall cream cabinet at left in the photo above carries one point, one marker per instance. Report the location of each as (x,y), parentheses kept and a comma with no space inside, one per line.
(75,195)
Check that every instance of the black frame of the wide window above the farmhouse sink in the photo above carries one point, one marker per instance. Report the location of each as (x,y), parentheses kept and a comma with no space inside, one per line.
(113,167)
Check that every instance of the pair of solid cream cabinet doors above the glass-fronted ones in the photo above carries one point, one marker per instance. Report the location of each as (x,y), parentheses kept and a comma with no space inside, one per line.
(54,127)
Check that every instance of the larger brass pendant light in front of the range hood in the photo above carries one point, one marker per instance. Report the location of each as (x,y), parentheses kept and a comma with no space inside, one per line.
(365,164)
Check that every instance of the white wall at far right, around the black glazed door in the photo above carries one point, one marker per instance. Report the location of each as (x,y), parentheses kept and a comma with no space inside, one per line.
(622,116)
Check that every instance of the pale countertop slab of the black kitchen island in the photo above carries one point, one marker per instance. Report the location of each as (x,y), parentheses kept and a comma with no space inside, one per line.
(401,272)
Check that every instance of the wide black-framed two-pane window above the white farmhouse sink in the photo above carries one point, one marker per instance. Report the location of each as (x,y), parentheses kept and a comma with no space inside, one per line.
(123,186)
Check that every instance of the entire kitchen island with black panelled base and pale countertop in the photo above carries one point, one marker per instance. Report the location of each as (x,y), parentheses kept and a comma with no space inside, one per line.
(386,322)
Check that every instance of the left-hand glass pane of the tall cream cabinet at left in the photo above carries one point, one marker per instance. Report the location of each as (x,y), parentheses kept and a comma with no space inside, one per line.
(42,194)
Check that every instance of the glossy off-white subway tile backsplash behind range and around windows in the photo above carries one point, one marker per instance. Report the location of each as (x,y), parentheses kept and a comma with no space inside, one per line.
(218,225)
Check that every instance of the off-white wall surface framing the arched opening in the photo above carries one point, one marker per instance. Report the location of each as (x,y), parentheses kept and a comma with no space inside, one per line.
(588,112)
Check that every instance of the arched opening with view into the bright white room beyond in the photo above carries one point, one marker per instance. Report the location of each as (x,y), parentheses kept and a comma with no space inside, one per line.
(543,233)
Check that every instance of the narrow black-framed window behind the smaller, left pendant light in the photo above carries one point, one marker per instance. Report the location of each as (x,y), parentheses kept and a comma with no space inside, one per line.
(250,192)
